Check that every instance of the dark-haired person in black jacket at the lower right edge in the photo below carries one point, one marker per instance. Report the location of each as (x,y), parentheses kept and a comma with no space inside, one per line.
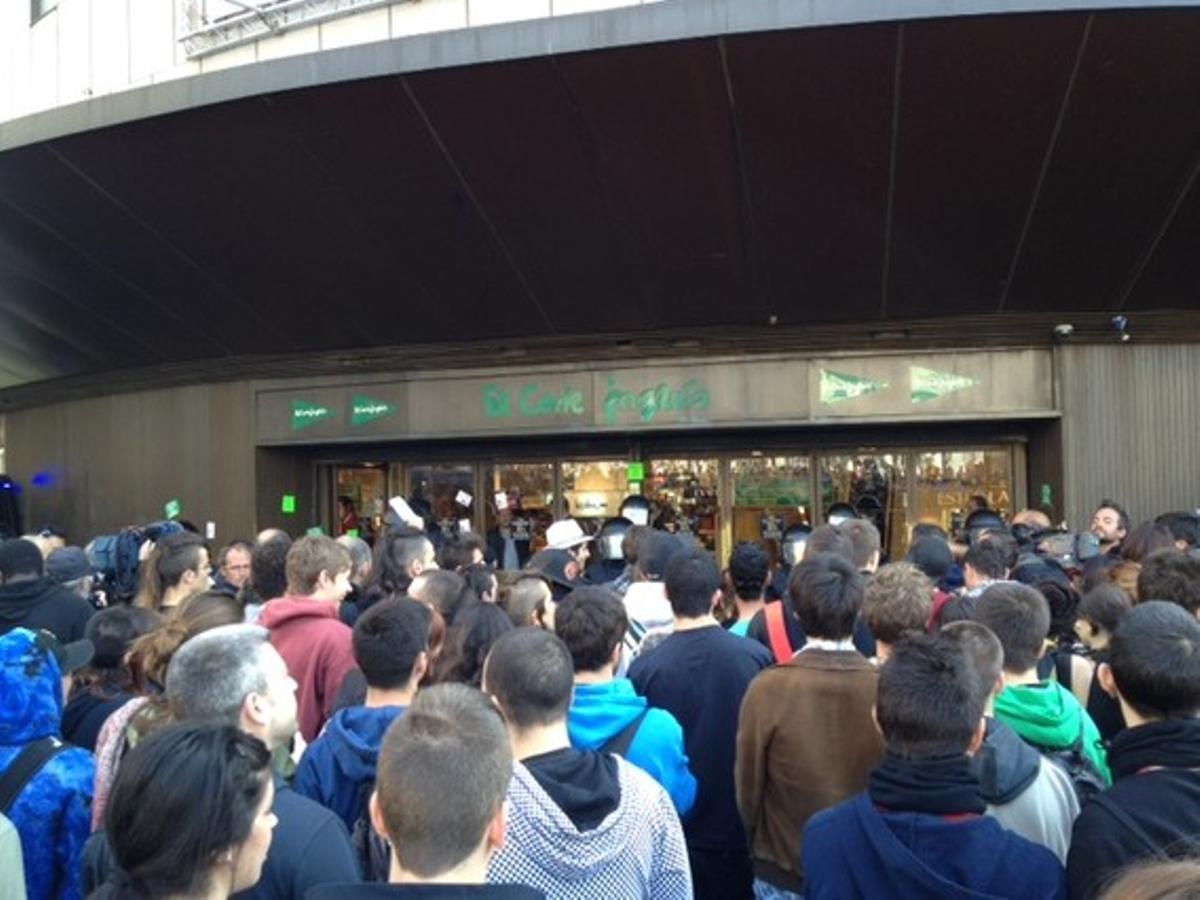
(1154,807)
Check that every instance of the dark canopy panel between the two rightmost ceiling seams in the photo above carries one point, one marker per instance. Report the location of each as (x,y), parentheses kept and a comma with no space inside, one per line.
(1129,141)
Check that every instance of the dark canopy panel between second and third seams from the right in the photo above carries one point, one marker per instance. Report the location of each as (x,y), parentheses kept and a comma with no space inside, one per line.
(979,103)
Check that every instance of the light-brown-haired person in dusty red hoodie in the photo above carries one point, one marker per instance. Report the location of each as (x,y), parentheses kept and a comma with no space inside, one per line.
(307,631)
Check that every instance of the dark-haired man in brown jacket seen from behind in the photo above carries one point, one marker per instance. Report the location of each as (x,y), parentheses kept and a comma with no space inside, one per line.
(806,735)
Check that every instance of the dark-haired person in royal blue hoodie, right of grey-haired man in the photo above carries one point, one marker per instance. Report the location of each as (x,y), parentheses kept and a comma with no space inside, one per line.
(392,643)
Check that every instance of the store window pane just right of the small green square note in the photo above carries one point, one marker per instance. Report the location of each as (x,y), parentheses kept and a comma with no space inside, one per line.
(685,499)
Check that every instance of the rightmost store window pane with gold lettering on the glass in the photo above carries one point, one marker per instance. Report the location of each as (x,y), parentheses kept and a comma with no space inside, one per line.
(949,482)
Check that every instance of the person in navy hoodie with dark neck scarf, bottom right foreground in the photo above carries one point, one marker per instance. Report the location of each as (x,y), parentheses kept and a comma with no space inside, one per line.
(920,829)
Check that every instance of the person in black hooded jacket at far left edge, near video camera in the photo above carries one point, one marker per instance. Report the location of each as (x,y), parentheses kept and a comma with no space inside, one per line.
(28,599)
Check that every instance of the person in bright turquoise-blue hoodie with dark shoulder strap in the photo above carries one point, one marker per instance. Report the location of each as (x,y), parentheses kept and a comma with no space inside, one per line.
(607,713)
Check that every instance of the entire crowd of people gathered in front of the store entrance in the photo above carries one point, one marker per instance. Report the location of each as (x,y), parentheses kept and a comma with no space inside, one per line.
(1010,712)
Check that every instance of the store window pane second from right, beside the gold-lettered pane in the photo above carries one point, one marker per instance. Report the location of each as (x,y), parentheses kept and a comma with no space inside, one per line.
(877,487)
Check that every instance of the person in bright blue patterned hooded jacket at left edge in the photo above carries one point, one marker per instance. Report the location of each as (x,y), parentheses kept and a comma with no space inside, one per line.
(53,811)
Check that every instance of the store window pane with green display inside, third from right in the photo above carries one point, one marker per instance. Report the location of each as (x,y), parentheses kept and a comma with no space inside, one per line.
(770,495)
